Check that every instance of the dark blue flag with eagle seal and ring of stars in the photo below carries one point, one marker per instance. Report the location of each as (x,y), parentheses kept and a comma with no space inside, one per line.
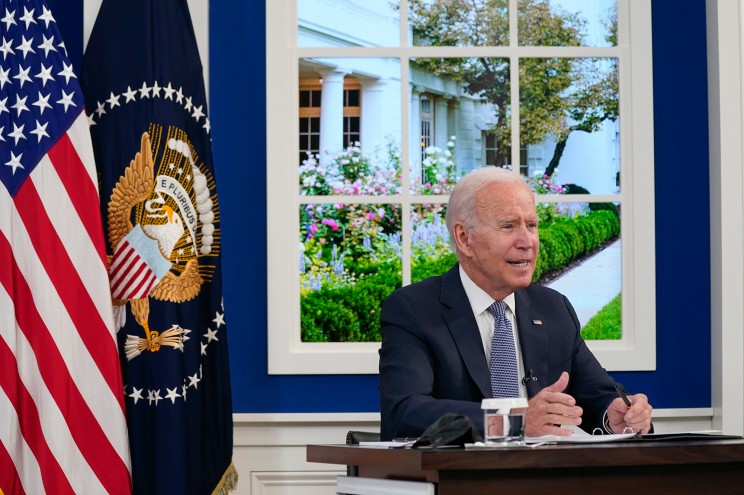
(144,92)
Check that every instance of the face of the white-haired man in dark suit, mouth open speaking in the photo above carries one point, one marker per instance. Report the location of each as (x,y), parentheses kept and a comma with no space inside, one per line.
(499,254)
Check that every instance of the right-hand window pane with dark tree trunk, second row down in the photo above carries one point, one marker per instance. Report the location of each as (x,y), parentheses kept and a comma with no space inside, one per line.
(570,126)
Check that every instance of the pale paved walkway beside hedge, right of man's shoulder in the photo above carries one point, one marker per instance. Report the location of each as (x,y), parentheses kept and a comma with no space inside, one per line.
(592,284)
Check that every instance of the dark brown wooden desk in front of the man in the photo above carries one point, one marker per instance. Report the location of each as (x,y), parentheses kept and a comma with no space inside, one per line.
(700,466)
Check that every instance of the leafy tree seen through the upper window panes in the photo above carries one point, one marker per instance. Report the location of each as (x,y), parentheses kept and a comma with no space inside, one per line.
(557,95)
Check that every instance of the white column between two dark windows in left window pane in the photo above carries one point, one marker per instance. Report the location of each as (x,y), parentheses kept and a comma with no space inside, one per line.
(332,112)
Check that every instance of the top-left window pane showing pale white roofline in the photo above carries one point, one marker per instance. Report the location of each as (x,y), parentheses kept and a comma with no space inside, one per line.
(347,23)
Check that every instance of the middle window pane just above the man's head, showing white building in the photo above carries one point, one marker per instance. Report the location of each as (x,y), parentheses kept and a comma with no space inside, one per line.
(459,119)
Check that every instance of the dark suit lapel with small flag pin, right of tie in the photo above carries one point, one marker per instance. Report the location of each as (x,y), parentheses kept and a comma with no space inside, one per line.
(534,342)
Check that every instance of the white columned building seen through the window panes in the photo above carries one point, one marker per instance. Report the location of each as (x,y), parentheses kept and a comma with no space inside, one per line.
(346,100)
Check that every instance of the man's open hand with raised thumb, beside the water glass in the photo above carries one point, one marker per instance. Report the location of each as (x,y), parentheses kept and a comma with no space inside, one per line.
(551,409)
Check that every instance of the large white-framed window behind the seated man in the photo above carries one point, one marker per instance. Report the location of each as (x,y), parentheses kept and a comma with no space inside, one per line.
(423,115)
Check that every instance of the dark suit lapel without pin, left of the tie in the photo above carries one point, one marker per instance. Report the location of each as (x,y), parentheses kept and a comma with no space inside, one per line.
(464,329)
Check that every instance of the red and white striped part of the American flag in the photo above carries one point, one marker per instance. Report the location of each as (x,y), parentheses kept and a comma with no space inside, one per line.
(62,422)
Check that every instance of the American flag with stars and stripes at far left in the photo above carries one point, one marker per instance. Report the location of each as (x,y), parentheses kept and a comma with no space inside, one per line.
(62,422)
